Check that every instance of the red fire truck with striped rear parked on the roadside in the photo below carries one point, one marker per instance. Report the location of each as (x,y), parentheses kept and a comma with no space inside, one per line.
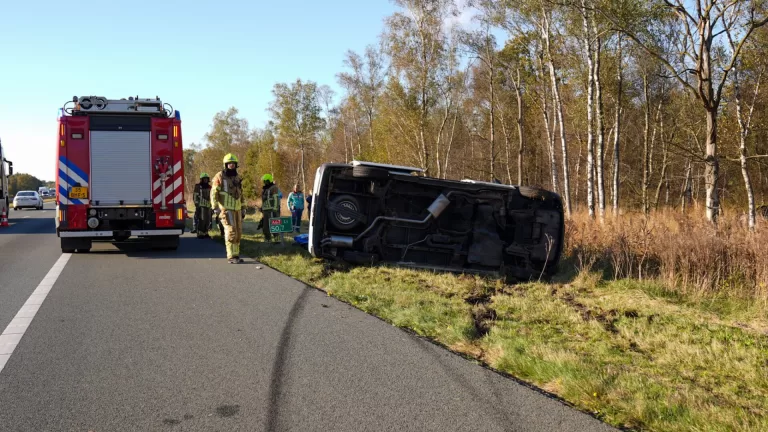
(120,173)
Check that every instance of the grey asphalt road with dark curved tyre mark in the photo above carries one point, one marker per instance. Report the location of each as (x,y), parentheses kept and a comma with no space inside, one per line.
(130,339)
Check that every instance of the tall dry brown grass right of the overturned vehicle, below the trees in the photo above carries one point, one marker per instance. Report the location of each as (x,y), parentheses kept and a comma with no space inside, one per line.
(685,252)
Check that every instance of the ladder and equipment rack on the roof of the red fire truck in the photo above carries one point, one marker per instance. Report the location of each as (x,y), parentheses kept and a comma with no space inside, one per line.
(90,105)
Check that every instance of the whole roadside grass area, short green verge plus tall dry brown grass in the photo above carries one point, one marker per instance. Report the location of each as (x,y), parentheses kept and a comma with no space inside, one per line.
(685,349)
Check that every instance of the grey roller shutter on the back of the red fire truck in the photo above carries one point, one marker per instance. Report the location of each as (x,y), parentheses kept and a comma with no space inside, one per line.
(120,167)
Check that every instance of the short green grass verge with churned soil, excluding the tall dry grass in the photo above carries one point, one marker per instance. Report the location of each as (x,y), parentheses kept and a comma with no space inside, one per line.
(633,353)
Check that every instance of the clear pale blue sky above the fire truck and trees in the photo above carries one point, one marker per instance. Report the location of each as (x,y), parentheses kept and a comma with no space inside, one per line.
(200,56)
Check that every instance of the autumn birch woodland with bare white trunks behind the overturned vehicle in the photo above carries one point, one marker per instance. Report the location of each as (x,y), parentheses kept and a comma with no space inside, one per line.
(615,104)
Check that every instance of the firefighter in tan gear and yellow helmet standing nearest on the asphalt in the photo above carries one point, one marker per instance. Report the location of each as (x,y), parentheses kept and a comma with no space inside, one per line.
(227,195)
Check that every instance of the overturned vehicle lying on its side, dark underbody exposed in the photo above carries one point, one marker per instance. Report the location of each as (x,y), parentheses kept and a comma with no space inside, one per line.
(366,213)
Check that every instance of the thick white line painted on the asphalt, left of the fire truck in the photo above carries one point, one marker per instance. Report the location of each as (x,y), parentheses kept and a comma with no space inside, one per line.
(12,334)
